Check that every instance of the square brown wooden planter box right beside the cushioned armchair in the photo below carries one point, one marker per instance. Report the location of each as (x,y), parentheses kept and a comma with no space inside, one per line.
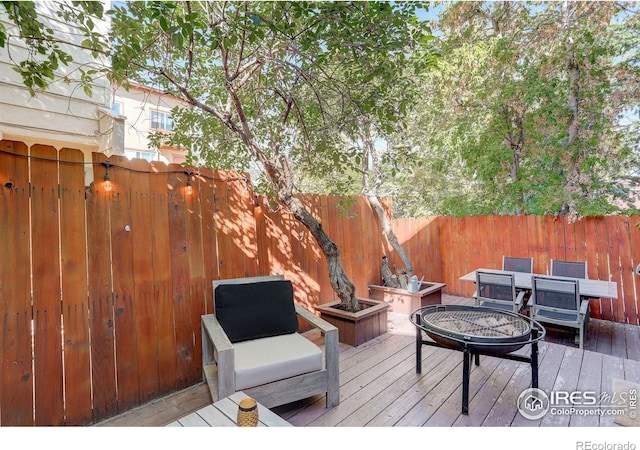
(357,328)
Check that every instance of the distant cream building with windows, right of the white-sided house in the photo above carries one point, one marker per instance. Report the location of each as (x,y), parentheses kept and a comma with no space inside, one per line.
(147,110)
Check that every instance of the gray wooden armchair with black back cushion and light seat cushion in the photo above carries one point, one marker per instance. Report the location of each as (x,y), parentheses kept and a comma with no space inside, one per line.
(251,344)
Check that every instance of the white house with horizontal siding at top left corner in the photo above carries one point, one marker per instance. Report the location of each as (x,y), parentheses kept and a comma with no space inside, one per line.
(63,115)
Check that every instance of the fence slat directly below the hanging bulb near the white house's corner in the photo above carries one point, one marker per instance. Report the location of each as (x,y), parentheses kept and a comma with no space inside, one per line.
(103,366)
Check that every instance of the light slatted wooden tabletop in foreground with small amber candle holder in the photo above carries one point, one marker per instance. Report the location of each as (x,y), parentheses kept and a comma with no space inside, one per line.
(223,413)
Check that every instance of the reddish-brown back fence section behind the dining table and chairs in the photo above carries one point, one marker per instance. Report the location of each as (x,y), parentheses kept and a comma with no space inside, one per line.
(445,248)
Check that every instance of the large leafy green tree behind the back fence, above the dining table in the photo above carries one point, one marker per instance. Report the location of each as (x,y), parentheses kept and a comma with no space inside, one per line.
(525,108)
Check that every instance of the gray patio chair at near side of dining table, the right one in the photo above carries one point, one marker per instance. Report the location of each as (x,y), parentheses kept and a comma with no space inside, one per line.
(557,302)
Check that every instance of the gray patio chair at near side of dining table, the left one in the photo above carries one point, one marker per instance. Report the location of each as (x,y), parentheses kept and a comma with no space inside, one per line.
(498,290)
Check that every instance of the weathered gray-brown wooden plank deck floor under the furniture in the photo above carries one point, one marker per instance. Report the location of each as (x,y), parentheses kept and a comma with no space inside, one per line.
(379,386)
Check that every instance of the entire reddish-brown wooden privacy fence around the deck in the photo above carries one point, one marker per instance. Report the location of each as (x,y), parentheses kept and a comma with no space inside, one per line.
(101,292)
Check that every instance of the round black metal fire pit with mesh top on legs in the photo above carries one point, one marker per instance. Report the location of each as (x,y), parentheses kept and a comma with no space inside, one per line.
(476,331)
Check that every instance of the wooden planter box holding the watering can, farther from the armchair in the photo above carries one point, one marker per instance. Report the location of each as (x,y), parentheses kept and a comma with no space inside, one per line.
(405,302)
